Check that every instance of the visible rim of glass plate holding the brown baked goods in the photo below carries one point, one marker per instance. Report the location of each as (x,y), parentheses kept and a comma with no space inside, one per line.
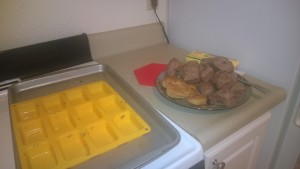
(184,103)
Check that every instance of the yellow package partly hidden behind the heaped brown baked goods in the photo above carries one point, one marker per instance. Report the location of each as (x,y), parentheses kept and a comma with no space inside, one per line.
(198,56)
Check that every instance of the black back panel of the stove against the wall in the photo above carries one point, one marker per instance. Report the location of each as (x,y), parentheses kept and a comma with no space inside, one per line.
(33,60)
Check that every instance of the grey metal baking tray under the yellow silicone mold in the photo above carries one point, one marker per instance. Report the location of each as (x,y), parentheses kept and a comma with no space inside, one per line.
(134,154)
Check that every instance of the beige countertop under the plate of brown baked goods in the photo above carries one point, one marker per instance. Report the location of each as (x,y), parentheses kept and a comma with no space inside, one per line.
(209,127)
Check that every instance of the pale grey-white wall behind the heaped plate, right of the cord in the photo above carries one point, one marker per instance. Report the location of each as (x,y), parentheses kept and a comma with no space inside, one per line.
(263,34)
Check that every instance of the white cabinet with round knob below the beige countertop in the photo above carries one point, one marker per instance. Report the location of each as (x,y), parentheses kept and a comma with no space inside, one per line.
(239,150)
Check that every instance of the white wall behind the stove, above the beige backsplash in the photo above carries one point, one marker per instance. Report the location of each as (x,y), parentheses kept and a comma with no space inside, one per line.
(33,21)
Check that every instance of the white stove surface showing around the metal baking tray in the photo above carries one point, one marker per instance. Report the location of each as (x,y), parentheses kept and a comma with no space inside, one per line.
(187,153)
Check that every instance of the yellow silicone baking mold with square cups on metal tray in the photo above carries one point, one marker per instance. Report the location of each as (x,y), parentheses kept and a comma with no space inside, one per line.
(66,128)
